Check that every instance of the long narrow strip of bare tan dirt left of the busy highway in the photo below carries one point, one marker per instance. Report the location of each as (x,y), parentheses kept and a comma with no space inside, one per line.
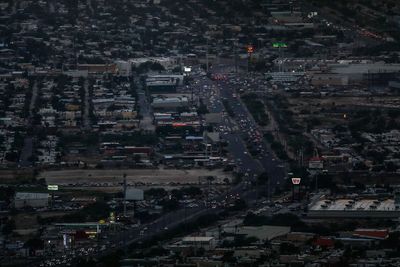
(157,176)
